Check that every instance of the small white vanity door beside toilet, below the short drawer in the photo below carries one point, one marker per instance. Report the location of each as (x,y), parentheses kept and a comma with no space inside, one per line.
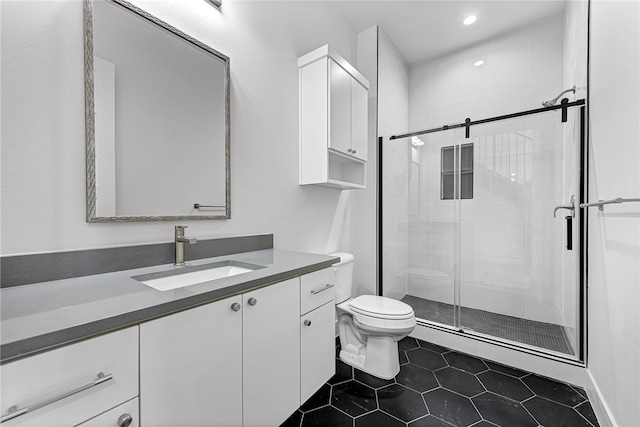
(317,349)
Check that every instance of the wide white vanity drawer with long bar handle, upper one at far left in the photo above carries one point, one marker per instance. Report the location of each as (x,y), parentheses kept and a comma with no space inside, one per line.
(72,384)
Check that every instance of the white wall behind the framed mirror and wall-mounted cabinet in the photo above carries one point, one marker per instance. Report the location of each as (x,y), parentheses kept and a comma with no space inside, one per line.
(43,157)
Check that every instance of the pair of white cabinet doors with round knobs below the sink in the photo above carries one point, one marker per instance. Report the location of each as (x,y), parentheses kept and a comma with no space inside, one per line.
(234,362)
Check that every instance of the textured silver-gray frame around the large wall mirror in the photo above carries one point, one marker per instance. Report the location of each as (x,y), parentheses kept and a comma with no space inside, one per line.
(90,123)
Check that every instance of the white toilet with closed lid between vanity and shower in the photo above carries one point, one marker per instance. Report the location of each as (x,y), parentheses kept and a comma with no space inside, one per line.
(370,326)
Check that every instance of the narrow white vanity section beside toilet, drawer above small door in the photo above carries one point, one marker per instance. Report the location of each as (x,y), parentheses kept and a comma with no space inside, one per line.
(317,330)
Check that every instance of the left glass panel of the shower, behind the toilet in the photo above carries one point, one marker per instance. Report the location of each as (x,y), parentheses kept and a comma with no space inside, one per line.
(419,224)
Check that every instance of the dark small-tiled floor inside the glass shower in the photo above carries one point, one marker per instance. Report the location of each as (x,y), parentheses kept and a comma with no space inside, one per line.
(538,334)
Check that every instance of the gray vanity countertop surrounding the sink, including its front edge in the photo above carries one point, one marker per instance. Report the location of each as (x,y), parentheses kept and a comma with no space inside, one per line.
(41,316)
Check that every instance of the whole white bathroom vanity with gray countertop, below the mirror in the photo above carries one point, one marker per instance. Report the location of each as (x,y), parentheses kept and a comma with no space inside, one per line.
(105,350)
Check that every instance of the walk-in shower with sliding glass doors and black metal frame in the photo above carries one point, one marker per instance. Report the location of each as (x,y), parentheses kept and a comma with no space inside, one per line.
(478,231)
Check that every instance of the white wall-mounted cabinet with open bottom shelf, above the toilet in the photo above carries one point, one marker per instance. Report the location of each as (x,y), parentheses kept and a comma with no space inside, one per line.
(333,98)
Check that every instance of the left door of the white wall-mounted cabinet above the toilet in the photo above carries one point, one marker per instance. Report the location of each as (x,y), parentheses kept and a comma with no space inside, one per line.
(339,108)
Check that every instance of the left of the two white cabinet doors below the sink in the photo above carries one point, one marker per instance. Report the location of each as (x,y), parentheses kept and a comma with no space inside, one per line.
(191,367)
